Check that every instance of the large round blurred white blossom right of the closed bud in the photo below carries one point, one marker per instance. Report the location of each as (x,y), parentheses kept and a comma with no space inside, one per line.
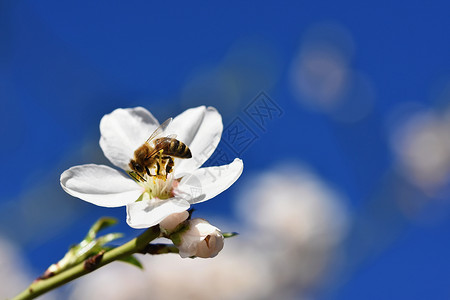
(302,221)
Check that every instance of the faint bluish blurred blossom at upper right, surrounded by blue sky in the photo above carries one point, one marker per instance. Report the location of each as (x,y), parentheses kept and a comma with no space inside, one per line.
(323,79)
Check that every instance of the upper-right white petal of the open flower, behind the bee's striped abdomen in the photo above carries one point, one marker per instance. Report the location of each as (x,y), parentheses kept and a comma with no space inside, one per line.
(200,128)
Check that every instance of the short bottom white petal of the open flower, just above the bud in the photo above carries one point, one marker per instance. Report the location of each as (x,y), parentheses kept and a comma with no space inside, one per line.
(149,212)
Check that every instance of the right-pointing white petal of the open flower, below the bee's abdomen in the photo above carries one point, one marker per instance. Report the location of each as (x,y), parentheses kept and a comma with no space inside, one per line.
(206,183)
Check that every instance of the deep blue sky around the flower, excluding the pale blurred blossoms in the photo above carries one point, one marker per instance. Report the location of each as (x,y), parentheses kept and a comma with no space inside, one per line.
(64,65)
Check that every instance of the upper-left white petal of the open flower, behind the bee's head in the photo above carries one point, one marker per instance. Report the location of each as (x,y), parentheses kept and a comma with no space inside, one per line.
(123,131)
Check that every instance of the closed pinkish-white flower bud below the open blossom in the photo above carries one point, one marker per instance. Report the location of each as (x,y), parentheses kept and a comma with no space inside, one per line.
(200,239)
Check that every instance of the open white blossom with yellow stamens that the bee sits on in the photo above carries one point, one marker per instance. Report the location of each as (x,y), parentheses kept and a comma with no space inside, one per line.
(151,201)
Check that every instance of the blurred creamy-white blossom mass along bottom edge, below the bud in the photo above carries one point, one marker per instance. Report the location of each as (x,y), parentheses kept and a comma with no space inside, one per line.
(237,273)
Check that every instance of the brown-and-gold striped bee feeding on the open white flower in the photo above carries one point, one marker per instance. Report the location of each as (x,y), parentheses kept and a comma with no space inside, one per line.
(157,153)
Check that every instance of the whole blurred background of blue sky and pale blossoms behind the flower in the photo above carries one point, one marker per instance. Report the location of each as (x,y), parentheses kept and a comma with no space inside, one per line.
(343,111)
